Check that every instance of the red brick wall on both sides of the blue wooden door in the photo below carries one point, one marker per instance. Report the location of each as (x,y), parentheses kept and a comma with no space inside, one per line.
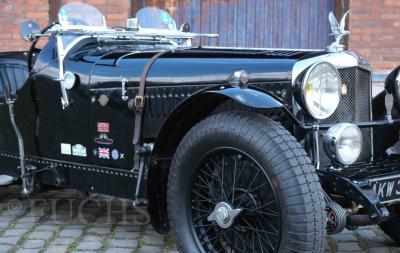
(374,24)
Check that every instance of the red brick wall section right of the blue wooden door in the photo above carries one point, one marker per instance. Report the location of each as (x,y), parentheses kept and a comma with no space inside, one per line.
(375,31)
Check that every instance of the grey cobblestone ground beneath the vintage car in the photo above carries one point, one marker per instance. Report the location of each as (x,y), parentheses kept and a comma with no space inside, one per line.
(67,221)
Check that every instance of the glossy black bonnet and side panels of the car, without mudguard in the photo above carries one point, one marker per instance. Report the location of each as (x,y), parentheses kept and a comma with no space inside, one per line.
(100,71)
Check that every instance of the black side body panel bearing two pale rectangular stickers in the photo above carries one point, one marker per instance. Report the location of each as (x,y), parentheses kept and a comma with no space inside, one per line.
(63,131)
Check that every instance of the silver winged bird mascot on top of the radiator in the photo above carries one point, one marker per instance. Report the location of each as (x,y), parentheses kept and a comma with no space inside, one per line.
(338,30)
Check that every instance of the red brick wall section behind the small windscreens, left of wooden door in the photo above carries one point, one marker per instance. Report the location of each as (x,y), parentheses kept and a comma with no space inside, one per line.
(13,12)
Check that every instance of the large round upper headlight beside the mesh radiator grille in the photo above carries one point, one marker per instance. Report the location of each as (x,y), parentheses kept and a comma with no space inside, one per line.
(321,90)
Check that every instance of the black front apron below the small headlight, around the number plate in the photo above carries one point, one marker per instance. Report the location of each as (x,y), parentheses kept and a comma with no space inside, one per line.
(353,184)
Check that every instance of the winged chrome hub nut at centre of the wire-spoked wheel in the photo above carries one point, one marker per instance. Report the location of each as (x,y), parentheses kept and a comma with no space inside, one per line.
(224,215)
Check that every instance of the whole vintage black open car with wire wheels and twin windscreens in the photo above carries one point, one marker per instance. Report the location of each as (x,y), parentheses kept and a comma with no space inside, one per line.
(234,149)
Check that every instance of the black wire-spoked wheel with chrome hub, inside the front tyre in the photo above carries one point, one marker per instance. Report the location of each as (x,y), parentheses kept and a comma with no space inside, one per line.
(234,206)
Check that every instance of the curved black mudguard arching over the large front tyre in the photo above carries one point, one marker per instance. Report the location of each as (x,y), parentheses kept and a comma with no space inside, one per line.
(187,114)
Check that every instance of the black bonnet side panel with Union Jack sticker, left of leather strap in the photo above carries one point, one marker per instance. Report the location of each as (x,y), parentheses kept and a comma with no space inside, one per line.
(111,122)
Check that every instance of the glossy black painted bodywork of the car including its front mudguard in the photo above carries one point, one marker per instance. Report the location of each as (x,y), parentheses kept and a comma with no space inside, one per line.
(183,87)
